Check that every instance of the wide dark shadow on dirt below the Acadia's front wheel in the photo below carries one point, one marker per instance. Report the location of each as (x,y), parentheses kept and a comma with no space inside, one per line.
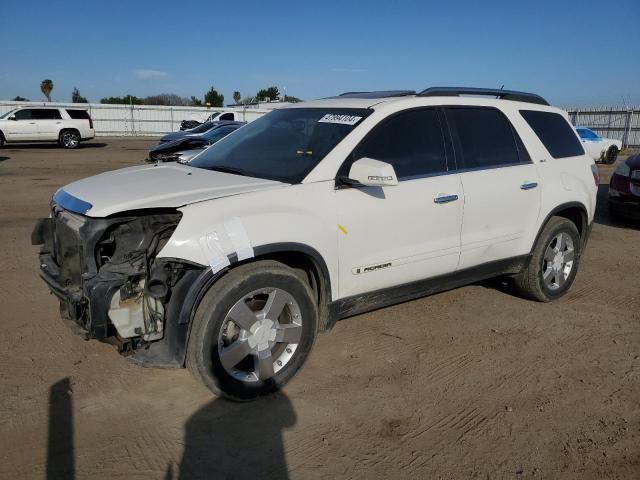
(236,440)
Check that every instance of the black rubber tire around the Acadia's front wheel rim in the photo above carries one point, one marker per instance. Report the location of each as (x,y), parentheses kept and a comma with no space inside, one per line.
(203,357)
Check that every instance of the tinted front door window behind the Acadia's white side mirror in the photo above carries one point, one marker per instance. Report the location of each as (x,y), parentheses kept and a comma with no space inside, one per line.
(413,142)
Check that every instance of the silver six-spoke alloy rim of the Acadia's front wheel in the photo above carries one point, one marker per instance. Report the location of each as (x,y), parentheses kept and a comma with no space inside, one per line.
(260,334)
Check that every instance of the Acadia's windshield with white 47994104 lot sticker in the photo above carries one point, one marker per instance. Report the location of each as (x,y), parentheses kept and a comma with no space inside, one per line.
(283,145)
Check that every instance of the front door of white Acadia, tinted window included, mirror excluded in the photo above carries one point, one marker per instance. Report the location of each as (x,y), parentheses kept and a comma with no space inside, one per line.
(389,236)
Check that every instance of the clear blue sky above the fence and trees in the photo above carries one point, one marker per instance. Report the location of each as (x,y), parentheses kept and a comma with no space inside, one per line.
(572,53)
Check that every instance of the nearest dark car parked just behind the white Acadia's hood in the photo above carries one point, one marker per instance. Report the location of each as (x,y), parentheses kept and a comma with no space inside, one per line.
(186,148)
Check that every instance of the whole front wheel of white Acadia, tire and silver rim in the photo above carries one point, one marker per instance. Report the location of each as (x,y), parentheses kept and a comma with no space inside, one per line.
(252,331)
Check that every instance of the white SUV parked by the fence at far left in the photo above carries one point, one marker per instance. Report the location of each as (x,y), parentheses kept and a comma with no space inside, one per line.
(67,126)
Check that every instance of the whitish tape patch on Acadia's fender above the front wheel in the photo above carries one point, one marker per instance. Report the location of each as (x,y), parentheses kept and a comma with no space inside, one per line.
(231,235)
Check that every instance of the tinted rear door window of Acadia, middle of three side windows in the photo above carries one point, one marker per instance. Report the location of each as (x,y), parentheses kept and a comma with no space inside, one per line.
(484,138)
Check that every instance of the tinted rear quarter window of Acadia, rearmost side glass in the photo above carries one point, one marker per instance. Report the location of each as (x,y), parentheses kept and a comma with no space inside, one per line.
(554,132)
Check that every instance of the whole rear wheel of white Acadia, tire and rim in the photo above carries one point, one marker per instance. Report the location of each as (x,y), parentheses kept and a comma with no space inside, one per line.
(554,263)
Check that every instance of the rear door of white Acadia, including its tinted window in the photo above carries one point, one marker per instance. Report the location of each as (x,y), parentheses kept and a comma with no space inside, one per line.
(500,182)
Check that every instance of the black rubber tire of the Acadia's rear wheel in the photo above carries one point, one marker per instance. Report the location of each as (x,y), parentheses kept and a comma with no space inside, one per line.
(531,283)
